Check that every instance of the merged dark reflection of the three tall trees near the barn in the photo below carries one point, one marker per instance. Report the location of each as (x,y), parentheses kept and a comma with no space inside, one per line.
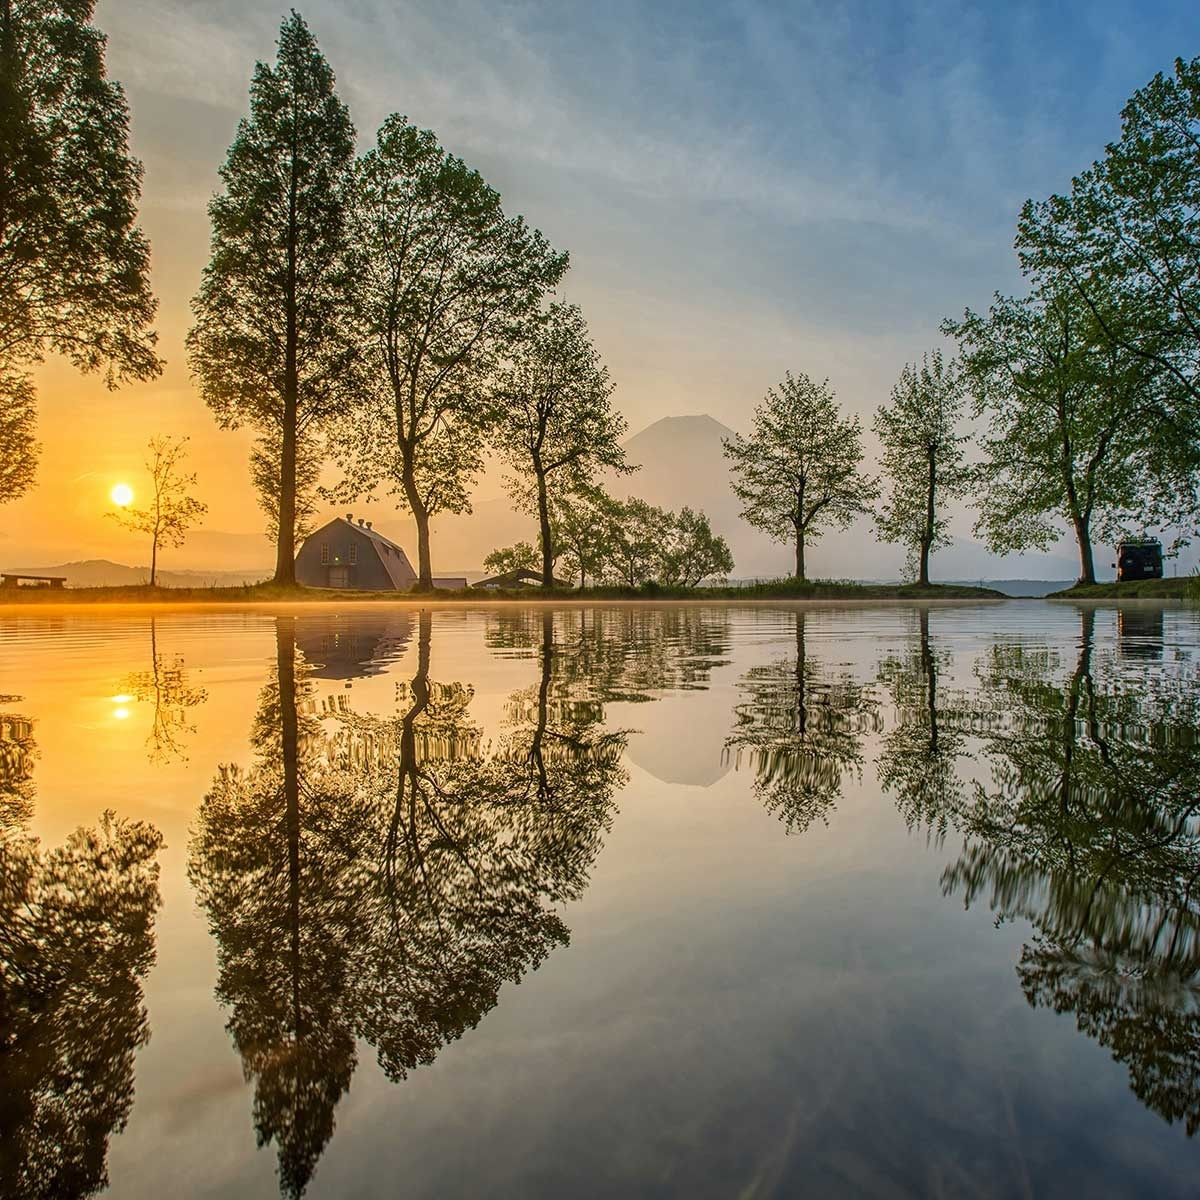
(383,878)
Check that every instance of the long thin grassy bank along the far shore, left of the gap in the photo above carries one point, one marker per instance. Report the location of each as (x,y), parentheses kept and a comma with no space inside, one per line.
(271,593)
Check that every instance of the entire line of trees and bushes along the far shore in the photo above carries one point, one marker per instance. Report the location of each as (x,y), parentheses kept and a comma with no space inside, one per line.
(381,313)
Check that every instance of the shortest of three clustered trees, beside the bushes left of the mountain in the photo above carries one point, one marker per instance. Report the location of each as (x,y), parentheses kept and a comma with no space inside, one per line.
(555,418)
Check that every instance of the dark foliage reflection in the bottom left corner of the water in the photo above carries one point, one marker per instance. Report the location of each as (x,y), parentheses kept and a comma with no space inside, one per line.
(76,941)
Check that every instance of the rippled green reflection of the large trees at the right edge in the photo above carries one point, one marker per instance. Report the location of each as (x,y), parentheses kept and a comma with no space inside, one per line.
(1089,830)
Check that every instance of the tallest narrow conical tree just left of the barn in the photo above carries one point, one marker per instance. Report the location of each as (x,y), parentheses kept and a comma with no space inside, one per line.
(272,345)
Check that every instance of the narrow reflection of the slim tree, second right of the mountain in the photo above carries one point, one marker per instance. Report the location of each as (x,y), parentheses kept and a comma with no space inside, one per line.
(919,758)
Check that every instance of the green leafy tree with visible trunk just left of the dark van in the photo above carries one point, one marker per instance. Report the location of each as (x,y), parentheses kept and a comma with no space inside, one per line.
(1072,427)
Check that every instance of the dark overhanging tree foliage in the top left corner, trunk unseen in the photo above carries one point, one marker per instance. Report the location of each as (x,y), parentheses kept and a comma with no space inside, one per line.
(74,265)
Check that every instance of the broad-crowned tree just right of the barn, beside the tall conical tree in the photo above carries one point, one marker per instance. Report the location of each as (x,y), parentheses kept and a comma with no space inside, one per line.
(445,281)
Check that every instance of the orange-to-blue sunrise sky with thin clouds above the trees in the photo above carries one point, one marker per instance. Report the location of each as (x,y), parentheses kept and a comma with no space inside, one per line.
(745,189)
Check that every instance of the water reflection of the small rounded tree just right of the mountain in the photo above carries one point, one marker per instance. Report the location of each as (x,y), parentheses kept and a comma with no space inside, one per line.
(802,730)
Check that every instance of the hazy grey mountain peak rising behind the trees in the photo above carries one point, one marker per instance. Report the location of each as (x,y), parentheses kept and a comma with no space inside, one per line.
(683,465)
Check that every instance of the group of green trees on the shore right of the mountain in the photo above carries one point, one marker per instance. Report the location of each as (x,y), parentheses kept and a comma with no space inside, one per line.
(1085,389)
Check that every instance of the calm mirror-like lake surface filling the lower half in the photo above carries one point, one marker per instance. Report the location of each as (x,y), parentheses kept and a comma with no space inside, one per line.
(663,902)
